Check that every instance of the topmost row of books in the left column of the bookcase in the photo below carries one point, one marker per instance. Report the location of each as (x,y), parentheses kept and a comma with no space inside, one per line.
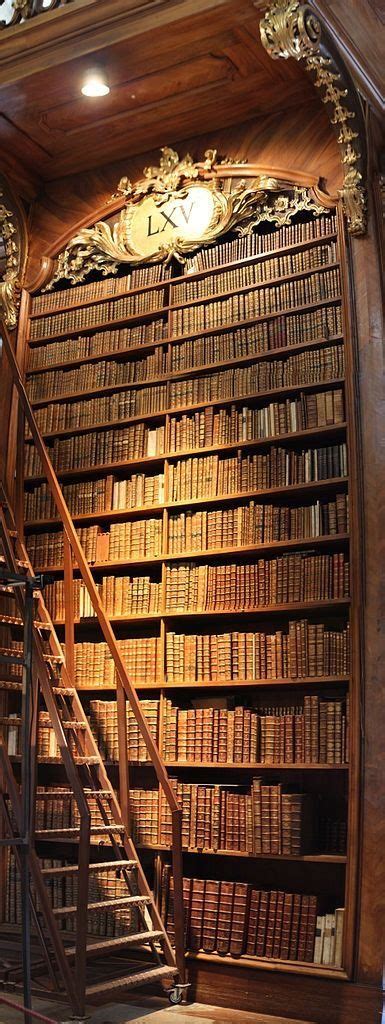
(96,290)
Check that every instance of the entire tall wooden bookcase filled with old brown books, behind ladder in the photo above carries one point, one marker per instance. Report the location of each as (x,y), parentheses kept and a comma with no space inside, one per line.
(202,431)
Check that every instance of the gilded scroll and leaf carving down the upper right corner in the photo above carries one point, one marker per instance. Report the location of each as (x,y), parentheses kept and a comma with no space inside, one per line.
(290,29)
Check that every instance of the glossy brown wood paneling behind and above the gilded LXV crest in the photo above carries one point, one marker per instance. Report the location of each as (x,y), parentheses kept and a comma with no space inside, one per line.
(302,142)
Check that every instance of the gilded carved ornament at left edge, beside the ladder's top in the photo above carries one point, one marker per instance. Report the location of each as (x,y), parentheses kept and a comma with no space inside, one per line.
(14,241)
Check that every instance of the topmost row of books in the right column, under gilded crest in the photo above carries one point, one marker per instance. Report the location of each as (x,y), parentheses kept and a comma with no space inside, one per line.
(259,243)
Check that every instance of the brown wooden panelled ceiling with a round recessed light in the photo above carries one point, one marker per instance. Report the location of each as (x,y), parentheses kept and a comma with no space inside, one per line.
(198,67)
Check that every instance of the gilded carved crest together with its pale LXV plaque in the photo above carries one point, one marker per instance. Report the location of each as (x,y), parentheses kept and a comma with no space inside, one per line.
(239,204)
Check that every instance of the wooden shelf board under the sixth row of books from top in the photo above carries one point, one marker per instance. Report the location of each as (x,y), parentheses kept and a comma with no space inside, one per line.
(331,433)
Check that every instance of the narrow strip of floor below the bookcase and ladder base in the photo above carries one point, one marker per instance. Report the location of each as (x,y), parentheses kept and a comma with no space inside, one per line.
(147,1012)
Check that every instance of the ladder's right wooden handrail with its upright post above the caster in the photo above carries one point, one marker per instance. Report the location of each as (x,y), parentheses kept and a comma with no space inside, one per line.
(110,638)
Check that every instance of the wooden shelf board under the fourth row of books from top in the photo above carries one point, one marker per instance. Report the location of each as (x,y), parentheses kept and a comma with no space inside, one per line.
(197,370)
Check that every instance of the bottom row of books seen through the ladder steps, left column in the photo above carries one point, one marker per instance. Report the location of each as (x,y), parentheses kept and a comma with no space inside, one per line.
(110,923)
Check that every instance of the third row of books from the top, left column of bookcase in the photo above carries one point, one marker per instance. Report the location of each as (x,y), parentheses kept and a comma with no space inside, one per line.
(84,348)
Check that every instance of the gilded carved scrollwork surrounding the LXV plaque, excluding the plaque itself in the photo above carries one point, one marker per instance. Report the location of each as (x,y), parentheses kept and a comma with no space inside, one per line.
(243,196)
